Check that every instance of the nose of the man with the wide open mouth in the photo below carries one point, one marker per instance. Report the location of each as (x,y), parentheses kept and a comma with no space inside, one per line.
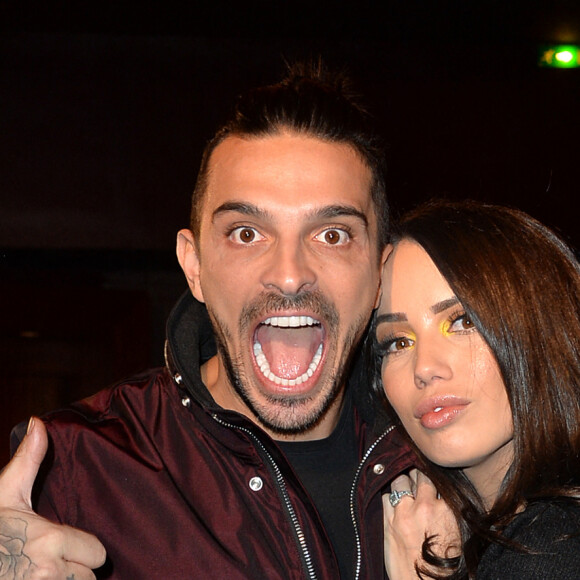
(289,269)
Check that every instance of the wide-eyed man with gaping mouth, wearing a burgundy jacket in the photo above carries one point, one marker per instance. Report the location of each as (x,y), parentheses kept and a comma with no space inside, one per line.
(257,451)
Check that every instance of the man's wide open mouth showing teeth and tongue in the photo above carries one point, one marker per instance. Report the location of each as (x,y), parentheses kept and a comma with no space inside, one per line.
(288,349)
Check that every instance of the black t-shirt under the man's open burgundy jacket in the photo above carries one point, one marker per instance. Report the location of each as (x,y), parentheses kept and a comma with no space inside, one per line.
(326,468)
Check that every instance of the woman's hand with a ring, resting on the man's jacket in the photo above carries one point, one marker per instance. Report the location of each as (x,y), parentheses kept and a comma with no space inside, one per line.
(416,515)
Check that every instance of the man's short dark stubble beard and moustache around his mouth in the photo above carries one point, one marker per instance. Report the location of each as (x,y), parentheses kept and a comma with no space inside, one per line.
(288,415)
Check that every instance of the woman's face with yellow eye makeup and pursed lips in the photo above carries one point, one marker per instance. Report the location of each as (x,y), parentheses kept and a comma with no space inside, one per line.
(439,374)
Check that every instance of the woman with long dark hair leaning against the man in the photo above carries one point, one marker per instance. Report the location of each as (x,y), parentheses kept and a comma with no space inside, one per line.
(478,335)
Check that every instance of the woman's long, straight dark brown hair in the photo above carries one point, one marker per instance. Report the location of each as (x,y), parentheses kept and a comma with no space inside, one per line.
(520,284)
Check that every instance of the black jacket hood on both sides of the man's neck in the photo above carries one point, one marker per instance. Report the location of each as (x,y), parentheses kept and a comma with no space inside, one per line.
(190,343)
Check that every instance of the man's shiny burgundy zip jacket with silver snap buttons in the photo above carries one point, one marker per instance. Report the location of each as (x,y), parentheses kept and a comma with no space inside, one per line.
(177,487)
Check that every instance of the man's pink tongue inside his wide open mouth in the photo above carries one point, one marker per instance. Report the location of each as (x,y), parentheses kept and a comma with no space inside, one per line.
(289,351)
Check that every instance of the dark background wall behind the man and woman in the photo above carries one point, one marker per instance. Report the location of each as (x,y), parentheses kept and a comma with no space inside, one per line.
(105,108)
